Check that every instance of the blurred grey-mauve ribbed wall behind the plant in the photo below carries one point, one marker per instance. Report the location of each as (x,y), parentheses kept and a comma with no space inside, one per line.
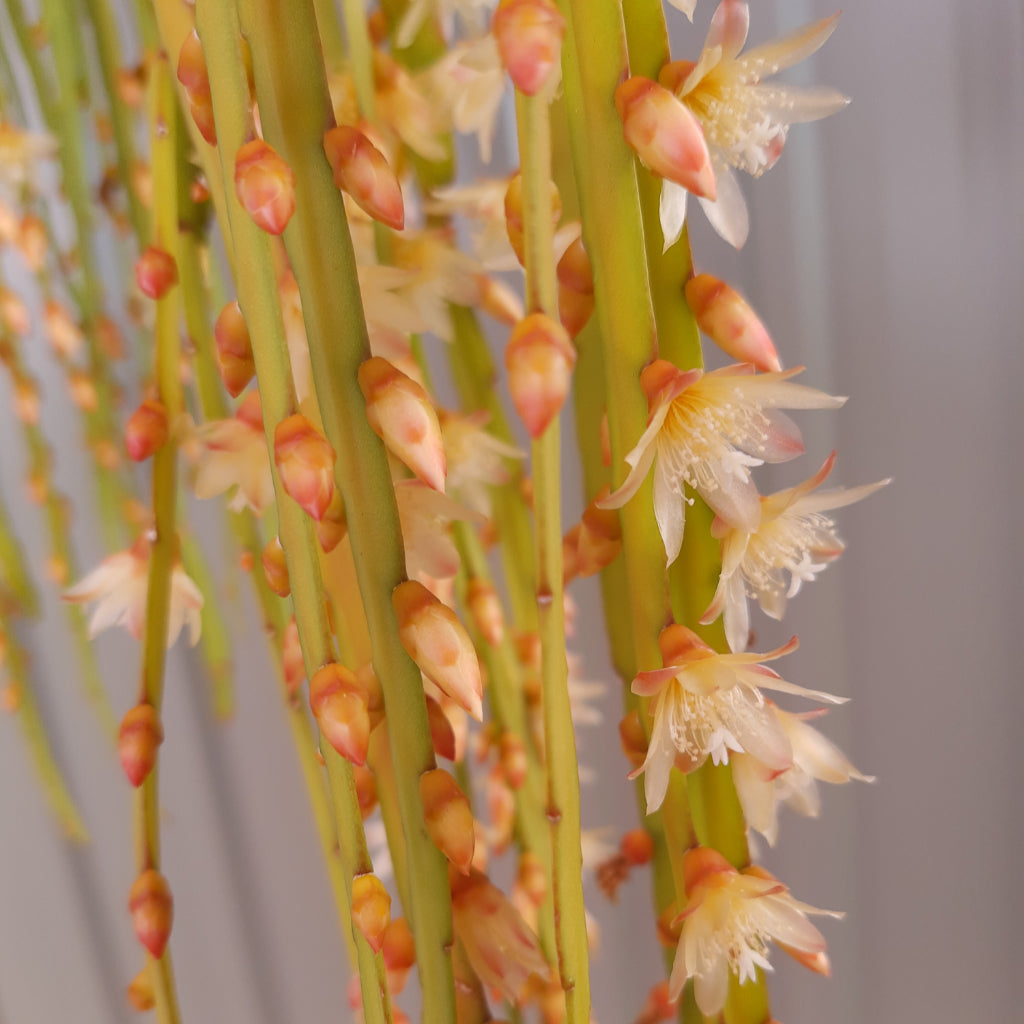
(887,254)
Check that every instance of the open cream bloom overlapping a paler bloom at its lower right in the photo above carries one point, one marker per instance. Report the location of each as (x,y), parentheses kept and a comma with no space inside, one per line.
(706,705)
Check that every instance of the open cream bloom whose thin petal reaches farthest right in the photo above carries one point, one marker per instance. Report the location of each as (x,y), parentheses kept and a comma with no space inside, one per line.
(795,540)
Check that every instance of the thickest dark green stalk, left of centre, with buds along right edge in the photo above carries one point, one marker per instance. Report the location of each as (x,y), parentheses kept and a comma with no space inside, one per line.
(296,112)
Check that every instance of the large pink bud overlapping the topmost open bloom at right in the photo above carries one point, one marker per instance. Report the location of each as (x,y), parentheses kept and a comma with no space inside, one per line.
(666,137)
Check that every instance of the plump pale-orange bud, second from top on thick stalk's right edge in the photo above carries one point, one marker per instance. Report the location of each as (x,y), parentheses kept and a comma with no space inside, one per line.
(402,415)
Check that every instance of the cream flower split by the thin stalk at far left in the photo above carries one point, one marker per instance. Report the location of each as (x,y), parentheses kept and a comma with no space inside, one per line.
(119,586)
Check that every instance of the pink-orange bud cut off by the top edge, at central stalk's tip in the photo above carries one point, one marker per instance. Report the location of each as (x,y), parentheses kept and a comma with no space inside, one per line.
(530,35)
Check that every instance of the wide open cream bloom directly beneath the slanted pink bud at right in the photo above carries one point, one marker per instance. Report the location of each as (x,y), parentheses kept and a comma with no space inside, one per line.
(707,431)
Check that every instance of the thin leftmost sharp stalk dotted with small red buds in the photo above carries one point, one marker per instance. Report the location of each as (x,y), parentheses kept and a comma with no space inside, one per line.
(164,545)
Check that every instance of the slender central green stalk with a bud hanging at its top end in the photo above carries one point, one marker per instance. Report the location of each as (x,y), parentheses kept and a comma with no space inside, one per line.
(560,738)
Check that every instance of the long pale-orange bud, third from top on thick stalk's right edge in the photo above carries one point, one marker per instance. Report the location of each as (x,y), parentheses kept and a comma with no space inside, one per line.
(439,644)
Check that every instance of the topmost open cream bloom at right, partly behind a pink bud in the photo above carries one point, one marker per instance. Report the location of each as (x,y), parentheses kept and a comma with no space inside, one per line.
(745,118)
